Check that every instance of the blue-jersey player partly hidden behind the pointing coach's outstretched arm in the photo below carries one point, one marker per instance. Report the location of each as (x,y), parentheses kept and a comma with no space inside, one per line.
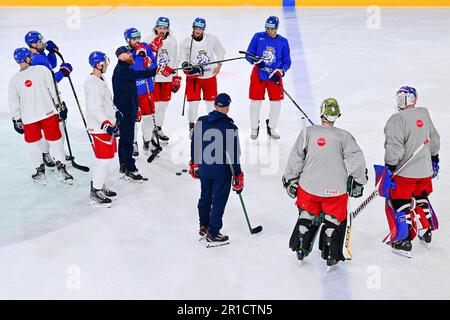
(143,59)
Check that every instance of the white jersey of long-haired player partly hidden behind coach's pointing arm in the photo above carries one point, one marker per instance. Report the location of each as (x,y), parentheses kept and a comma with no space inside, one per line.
(167,55)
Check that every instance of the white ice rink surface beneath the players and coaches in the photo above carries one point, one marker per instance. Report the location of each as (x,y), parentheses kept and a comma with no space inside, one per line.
(54,245)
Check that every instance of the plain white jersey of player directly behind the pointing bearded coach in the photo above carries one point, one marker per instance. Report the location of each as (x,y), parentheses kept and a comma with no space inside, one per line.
(99,104)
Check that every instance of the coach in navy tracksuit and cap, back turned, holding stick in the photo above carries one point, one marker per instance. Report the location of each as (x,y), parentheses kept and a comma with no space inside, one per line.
(214,136)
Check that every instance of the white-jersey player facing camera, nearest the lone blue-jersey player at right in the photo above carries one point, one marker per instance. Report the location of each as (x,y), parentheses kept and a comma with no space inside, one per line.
(198,49)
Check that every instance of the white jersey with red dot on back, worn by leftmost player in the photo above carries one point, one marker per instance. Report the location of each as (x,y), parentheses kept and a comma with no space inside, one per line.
(32,94)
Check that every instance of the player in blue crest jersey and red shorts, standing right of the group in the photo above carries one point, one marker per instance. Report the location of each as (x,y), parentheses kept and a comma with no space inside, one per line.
(274,59)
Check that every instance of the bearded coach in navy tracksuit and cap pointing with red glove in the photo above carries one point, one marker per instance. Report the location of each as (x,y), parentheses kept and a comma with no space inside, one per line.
(126,100)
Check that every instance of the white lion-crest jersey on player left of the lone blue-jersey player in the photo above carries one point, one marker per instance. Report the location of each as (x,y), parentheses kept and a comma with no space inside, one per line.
(204,51)
